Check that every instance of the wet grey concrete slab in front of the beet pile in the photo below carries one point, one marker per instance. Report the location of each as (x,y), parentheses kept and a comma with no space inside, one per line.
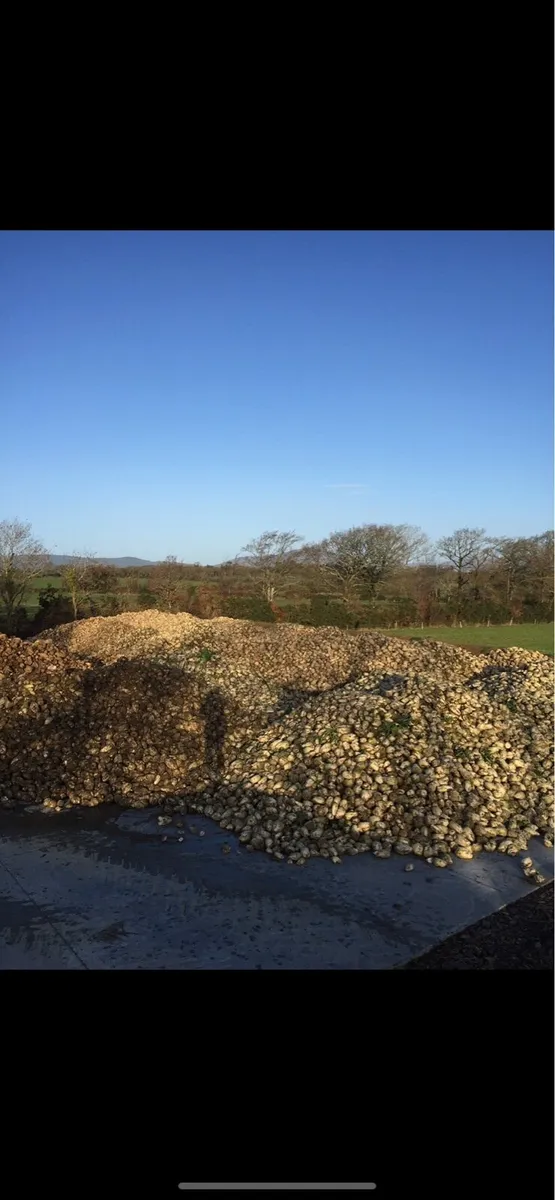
(100,890)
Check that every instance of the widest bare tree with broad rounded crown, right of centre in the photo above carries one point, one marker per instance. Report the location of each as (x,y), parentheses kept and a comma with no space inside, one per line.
(367,555)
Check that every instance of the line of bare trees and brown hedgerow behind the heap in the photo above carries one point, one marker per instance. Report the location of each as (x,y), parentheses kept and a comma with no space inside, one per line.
(378,575)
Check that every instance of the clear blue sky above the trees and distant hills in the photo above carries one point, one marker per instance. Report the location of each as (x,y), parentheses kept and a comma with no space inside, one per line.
(182,392)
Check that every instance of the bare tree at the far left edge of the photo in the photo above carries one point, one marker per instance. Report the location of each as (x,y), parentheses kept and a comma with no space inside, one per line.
(22,559)
